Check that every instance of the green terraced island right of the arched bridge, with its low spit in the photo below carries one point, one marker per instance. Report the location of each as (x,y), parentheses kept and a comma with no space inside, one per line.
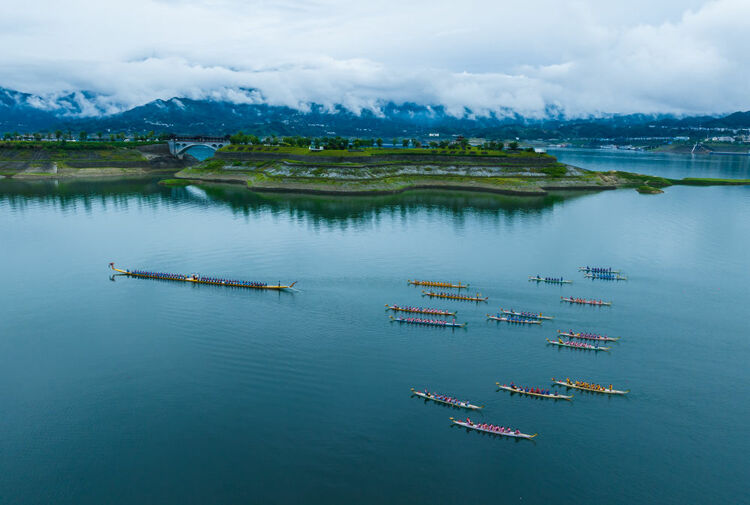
(371,171)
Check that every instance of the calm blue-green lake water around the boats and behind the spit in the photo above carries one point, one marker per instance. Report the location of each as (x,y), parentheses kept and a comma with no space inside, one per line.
(121,390)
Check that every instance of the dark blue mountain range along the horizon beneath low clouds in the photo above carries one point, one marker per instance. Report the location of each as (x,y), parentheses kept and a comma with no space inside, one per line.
(86,111)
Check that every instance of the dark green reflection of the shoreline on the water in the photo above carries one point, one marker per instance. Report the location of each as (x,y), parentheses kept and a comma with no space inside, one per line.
(69,195)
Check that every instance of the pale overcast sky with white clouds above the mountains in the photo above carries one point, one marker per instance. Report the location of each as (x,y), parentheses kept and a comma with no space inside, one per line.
(584,56)
